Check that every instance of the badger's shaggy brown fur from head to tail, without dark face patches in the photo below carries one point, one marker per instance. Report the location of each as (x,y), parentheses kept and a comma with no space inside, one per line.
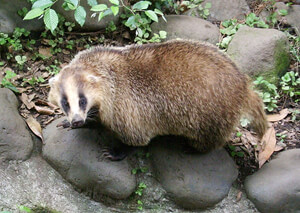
(174,88)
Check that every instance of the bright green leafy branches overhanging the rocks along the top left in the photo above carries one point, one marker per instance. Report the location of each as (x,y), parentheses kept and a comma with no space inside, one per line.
(138,17)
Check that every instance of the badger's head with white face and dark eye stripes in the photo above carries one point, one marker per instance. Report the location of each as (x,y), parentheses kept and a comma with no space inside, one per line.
(74,92)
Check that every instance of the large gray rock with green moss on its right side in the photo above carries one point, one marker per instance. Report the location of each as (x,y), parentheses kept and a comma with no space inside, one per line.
(262,52)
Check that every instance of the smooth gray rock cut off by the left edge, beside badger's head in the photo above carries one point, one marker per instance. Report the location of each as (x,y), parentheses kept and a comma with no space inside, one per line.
(15,140)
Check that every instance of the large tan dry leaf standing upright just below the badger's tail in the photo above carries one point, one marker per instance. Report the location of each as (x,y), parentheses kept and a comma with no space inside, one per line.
(269,144)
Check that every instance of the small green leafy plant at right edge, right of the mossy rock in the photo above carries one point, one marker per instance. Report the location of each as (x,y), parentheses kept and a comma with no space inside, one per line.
(290,84)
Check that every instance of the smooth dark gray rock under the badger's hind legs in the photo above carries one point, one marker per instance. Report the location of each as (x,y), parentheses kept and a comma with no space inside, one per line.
(193,181)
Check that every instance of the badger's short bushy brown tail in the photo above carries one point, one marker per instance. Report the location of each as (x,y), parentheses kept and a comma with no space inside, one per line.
(254,111)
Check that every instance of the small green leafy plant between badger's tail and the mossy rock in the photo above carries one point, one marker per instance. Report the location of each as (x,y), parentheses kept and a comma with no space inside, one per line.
(268,92)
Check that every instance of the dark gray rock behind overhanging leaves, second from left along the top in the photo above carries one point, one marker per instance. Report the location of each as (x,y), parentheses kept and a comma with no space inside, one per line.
(91,24)
